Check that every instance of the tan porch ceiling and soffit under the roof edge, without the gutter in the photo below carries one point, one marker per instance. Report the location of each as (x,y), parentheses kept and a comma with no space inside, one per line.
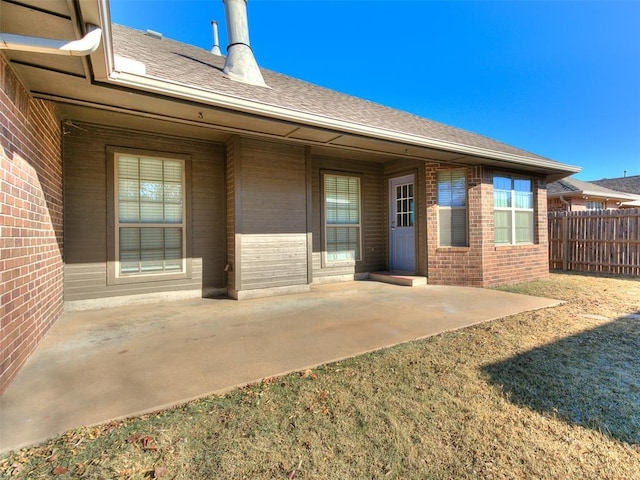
(83,92)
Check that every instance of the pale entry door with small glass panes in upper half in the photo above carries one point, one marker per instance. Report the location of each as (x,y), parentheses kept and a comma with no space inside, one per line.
(402,247)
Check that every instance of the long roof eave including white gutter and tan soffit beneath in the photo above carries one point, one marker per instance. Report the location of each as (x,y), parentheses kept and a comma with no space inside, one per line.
(126,98)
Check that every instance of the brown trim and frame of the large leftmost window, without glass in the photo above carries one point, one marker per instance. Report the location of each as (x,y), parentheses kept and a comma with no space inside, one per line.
(114,277)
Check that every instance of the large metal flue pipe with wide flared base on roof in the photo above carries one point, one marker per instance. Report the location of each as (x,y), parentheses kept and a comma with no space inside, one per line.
(240,65)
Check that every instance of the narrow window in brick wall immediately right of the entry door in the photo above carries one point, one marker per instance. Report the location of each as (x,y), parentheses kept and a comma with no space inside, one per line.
(452,208)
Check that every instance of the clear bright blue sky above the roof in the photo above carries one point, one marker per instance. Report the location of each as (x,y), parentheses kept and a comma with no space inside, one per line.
(557,78)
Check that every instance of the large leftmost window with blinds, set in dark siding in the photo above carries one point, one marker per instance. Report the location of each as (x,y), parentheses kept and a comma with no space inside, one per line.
(149,216)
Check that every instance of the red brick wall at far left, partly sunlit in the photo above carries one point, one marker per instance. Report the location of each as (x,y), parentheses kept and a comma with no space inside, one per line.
(31,295)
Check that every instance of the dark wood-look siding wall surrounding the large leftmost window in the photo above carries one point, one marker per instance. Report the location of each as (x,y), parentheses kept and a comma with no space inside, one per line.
(87,205)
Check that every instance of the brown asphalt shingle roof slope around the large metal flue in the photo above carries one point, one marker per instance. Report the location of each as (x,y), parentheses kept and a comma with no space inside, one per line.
(173,61)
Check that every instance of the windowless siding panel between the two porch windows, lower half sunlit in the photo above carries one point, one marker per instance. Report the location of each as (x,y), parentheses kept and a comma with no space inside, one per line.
(271,223)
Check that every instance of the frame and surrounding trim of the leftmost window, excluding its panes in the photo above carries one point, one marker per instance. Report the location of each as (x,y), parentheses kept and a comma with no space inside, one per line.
(115,275)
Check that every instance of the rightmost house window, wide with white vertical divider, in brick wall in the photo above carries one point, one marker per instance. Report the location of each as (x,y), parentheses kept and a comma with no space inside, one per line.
(513,210)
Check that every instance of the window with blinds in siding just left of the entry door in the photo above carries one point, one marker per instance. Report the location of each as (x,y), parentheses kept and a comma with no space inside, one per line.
(342,218)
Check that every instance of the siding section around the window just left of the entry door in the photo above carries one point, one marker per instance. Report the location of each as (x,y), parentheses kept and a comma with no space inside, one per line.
(372,212)
